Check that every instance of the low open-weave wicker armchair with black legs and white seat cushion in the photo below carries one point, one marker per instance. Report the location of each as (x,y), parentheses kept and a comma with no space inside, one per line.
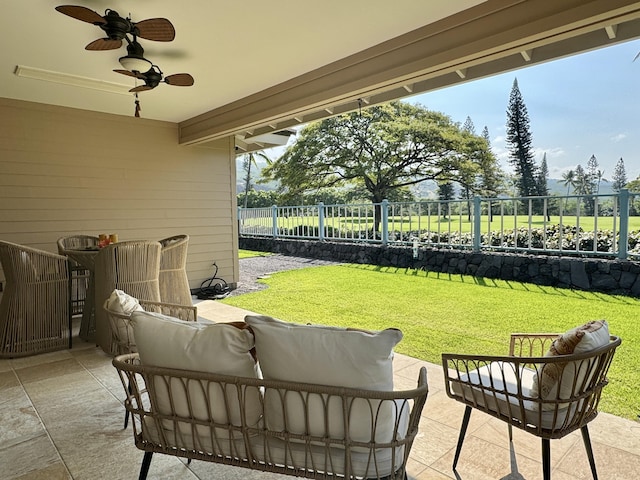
(500,386)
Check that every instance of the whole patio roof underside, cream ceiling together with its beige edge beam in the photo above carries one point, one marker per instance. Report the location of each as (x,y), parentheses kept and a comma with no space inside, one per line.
(266,66)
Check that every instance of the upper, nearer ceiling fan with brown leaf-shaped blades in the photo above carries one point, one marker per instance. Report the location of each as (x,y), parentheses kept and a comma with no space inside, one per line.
(117,27)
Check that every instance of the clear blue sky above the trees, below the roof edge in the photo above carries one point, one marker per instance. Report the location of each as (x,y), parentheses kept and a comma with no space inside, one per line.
(579,106)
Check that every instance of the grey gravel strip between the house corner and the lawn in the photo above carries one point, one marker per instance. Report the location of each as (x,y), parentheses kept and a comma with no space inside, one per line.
(254,268)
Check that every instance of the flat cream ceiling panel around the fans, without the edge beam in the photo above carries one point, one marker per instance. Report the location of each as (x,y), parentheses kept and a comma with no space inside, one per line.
(232,48)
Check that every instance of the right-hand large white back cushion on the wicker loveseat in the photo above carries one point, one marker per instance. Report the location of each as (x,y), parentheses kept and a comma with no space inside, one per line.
(332,356)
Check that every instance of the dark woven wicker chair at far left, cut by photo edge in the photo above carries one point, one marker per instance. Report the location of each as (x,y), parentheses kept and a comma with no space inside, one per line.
(34,311)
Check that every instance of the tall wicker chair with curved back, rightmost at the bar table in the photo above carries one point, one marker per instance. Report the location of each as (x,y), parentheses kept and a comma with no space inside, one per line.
(174,284)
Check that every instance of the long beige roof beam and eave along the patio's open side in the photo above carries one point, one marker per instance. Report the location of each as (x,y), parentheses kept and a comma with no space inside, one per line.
(493,37)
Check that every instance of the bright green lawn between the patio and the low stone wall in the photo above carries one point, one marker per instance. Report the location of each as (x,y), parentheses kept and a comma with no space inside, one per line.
(452,313)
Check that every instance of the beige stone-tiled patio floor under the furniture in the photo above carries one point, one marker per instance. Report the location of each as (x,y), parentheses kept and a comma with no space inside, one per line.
(62,414)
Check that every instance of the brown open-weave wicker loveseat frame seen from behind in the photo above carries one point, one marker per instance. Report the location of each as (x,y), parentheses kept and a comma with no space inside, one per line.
(258,447)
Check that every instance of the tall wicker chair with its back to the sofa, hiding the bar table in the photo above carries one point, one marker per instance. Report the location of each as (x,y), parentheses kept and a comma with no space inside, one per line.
(132,267)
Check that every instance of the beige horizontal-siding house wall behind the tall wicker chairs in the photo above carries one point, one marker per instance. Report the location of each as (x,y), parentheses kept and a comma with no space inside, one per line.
(66,171)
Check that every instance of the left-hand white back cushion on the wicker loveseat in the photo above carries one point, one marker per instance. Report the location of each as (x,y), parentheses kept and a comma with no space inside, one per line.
(220,348)
